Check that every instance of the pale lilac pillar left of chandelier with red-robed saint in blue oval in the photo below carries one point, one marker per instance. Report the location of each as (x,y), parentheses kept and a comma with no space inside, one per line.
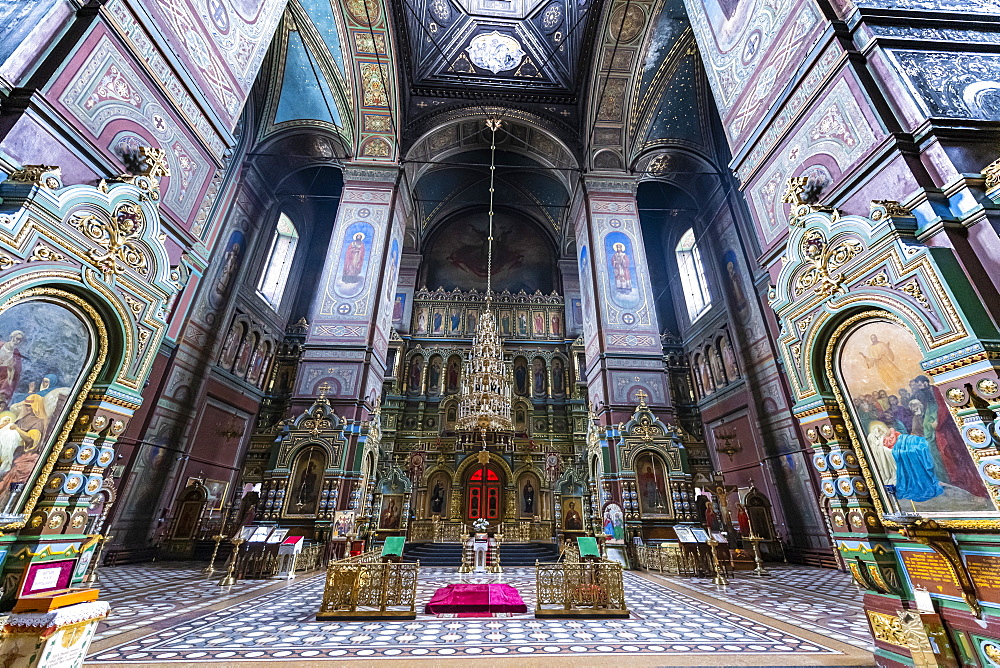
(349,324)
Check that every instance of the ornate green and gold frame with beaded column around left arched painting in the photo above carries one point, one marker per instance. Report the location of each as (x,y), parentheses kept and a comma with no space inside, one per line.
(98,253)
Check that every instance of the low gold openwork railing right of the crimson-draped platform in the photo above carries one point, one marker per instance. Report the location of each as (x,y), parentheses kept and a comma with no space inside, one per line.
(580,589)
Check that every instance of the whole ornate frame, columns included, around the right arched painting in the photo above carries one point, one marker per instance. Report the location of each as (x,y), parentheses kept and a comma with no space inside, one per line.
(845,272)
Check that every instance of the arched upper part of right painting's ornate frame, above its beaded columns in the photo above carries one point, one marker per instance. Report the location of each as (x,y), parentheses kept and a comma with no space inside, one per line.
(837,266)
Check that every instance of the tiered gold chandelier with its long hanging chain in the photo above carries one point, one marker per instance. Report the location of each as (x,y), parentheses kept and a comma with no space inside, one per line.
(484,398)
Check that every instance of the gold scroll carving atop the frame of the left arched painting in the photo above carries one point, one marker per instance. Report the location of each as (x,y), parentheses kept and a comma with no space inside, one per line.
(117,238)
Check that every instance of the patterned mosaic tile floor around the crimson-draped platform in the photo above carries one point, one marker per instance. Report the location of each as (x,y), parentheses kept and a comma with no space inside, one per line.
(169,614)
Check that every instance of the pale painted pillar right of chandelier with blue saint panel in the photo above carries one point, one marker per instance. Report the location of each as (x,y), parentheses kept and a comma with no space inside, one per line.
(621,335)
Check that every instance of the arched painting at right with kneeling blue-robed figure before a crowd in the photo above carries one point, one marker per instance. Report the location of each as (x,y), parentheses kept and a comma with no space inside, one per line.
(911,441)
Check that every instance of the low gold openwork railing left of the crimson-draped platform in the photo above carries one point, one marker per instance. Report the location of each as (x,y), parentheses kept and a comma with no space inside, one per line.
(367,590)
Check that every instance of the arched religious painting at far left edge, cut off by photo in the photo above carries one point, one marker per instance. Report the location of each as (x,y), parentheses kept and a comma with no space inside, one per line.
(45,349)
